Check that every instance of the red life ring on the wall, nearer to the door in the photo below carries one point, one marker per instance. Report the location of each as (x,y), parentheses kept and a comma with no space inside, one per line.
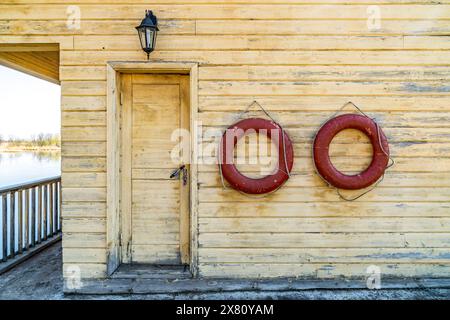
(243,183)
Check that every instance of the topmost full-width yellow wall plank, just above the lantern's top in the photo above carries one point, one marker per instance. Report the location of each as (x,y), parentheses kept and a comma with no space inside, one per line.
(223,11)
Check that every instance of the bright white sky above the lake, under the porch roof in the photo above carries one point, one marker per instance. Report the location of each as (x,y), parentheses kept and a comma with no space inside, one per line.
(28,105)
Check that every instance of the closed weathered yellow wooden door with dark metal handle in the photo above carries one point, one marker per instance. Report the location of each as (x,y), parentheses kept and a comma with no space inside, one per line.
(155,208)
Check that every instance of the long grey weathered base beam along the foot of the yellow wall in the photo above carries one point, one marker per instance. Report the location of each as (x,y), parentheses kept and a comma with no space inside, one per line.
(195,285)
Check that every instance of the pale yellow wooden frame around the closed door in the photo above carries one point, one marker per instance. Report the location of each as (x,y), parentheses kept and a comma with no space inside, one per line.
(114,70)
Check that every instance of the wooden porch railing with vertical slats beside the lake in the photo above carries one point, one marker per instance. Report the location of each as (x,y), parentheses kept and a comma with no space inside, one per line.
(30,215)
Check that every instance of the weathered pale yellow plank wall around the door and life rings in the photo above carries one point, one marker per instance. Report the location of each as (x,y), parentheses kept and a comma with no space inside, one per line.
(302,60)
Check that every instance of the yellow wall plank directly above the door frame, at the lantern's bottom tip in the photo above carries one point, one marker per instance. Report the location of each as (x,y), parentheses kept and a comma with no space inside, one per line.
(255,57)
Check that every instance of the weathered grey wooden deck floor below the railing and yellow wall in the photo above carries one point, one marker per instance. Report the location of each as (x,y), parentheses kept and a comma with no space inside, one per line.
(41,278)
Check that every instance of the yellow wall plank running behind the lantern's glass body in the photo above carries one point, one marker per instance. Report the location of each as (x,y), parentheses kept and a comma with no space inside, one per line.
(257,42)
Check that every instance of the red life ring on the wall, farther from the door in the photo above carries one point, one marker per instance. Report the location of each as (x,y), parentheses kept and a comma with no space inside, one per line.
(380,152)
